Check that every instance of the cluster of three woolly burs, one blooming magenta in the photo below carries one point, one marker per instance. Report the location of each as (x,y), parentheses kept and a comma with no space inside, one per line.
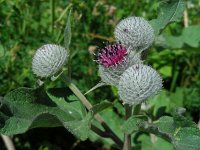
(120,64)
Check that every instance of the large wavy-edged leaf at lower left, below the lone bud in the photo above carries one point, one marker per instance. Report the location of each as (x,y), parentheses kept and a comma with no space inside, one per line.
(27,108)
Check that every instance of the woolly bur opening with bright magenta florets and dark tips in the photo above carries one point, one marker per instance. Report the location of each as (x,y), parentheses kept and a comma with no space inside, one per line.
(113,61)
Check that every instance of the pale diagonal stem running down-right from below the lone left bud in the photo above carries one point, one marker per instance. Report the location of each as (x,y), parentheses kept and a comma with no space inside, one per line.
(109,133)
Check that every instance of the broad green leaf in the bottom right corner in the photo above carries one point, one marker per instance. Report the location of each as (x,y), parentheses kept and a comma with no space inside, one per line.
(180,131)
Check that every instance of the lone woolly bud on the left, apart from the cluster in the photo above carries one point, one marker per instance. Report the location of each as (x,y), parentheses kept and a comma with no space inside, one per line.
(48,60)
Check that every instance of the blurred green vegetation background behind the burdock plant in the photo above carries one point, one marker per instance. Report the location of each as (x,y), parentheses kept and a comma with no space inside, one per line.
(25,25)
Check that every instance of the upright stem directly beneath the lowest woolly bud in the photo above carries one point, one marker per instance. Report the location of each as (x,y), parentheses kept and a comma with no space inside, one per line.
(127,137)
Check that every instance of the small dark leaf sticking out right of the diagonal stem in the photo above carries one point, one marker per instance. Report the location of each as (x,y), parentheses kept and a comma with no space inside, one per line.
(101,106)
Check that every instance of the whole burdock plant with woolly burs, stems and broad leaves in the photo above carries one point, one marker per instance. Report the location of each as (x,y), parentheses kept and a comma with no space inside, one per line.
(122,65)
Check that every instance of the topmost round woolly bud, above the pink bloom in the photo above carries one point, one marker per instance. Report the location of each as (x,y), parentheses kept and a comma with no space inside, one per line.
(135,32)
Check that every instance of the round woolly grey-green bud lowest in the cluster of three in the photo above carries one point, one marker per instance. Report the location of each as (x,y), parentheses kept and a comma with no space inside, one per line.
(138,83)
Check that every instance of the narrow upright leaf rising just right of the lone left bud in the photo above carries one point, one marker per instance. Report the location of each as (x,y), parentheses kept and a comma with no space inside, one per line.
(67,33)
